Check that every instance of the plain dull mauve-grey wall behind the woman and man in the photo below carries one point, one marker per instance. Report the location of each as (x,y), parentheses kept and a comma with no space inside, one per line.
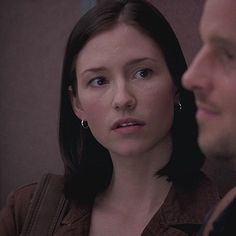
(32,40)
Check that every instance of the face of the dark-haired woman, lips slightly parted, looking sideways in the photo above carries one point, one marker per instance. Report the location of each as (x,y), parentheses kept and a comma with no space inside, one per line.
(125,91)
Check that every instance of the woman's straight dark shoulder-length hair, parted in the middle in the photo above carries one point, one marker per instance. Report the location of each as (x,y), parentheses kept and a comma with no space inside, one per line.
(88,165)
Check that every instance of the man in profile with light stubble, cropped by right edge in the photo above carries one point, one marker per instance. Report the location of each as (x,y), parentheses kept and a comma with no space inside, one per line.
(212,78)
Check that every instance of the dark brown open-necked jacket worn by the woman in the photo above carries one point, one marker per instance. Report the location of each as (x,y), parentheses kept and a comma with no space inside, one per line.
(181,214)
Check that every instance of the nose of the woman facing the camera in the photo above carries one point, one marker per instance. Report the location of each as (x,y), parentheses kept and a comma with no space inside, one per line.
(123,98)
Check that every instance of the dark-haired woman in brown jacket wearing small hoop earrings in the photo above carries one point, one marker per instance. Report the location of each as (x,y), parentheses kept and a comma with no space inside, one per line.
(127,128)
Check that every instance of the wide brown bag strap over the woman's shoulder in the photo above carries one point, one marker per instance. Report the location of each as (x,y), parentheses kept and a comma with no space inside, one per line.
(47,207)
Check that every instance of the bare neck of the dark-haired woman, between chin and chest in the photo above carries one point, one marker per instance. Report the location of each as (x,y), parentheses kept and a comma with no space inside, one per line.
(134,182)
